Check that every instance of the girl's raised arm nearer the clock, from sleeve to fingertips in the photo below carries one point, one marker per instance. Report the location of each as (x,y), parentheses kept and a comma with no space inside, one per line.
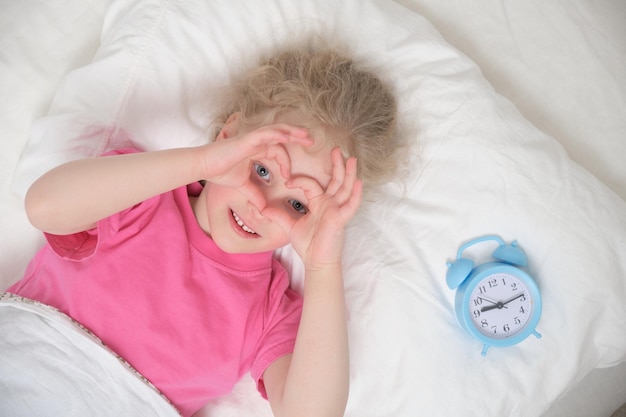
(314,380)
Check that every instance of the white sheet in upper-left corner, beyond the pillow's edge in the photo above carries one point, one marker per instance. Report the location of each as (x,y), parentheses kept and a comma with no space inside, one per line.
(40,43)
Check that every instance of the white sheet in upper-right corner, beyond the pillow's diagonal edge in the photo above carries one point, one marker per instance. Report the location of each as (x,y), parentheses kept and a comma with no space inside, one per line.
(562,62)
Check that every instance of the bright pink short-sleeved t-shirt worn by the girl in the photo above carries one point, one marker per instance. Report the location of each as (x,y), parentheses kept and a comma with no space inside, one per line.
(159,292)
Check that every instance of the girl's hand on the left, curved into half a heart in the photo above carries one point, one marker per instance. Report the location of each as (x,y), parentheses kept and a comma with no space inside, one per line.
(228,161)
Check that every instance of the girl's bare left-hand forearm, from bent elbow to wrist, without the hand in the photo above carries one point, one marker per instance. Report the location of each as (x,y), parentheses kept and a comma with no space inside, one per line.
(74,196)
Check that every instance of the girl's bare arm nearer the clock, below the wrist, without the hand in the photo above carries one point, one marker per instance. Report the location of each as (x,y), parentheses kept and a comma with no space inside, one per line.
(314,380)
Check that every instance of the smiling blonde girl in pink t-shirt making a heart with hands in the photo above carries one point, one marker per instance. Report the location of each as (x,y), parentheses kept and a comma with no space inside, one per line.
(178,278)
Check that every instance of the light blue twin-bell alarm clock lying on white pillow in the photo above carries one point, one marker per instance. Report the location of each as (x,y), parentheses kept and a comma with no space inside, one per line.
(497,302)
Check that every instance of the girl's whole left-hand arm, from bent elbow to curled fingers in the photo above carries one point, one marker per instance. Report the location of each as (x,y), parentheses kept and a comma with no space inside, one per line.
(74,196)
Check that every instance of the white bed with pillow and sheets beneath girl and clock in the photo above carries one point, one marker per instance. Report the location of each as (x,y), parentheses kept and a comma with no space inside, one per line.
(515,118)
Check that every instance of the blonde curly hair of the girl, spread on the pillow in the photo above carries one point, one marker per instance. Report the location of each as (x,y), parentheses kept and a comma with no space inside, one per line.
(353,105)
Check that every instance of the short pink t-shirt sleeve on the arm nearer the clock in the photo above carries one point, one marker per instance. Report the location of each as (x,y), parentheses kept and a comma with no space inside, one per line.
(280,335)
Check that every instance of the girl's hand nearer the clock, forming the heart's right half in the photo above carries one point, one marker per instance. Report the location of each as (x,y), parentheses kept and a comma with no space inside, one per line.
(318,235)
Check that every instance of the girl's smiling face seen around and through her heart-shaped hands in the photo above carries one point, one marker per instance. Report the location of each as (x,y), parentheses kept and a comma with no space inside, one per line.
(237,226)
